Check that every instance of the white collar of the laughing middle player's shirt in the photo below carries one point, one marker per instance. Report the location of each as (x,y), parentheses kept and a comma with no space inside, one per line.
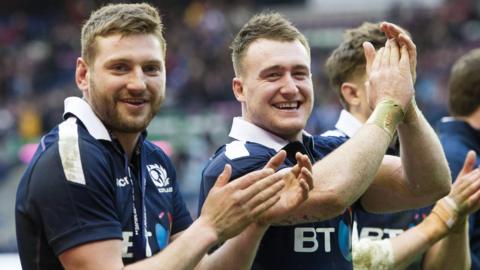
(243,130)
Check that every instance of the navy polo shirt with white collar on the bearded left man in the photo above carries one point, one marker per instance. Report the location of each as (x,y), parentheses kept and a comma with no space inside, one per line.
(80,187)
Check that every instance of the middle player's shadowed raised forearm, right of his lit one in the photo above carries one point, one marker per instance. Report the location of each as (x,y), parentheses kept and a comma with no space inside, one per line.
(423,159)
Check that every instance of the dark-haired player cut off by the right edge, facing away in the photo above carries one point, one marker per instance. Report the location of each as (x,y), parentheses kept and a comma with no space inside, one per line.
(460,133)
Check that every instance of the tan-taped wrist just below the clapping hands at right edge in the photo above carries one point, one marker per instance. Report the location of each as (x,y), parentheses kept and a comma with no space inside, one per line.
(442,218)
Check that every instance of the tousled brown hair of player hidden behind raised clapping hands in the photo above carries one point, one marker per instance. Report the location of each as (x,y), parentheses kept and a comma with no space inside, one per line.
(348,59)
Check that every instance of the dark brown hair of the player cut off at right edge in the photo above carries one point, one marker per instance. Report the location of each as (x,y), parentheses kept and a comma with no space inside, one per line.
(464,85)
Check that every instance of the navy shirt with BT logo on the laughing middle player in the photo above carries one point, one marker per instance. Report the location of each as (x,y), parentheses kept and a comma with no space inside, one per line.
(313,245)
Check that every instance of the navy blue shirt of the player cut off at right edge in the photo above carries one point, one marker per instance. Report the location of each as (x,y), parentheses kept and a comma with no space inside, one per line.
(457,138)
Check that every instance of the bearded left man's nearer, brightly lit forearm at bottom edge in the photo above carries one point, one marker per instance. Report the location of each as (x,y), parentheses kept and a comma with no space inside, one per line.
(185,252)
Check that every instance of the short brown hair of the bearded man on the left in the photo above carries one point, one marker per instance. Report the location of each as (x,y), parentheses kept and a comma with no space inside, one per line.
(124,19)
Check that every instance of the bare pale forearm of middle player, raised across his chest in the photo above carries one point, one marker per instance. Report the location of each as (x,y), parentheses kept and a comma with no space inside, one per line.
(344,175)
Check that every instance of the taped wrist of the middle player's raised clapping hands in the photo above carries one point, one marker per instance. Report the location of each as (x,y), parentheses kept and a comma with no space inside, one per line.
(387,115)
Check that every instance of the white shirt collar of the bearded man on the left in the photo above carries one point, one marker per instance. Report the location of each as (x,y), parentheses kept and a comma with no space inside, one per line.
(82,110)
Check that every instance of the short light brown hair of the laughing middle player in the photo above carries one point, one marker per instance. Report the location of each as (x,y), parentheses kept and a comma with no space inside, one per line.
(267,25)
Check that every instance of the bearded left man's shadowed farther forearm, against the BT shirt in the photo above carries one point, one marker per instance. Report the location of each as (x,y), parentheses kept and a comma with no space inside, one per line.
(236,253)
